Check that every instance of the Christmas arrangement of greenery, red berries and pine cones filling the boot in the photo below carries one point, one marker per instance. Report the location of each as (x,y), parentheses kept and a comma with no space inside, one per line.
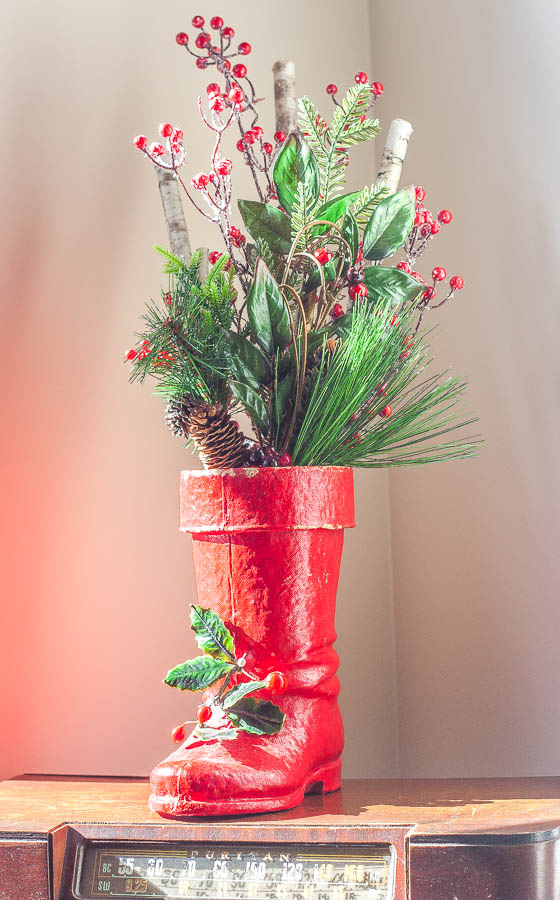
(313,317)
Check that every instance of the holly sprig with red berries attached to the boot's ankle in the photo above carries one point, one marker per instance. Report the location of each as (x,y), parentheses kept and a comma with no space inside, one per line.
(231,709)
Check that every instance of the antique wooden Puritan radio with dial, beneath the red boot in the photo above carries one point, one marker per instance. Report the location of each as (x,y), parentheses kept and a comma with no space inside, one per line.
(91,838)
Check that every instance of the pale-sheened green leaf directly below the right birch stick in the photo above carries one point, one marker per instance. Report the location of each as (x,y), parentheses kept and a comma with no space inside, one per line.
(390,224)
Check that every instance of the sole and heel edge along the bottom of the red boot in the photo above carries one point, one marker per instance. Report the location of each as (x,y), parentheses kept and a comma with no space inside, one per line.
(323,780)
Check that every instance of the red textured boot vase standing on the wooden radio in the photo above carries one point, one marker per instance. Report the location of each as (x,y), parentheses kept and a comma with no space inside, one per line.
(266,546)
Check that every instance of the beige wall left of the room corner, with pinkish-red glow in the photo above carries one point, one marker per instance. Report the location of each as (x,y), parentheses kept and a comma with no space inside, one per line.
(97,577)
